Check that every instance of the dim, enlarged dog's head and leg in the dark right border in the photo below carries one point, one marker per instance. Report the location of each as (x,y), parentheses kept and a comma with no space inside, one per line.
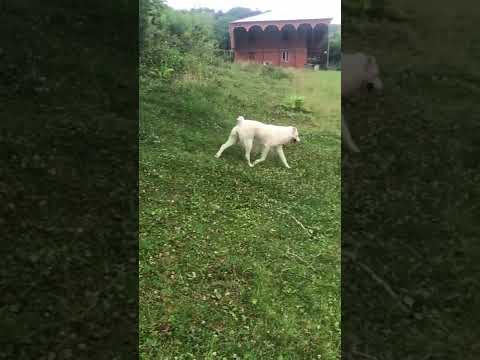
(359,71)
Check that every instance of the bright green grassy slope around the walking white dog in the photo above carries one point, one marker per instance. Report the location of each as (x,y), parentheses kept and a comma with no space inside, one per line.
(235,262)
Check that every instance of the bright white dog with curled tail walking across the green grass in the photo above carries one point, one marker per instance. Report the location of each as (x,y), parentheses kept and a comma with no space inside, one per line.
(270,136)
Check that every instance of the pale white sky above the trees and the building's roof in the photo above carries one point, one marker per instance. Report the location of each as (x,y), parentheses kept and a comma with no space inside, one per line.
(318,8)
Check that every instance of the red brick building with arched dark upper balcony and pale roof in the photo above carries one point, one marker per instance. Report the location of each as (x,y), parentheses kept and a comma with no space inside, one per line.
(280,40)
